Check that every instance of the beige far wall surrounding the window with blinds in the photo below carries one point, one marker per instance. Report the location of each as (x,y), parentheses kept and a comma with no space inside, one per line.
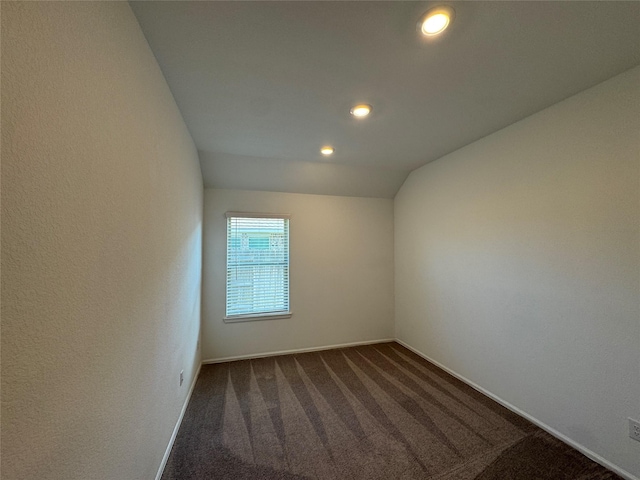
(341,277)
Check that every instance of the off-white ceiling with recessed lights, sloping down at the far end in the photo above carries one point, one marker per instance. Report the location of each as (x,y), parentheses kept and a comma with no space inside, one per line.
(263,85)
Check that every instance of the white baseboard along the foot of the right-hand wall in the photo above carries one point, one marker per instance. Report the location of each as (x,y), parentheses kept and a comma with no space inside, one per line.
(582,449)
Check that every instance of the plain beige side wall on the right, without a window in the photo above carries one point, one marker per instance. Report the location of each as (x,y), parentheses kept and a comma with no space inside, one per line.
(518,260)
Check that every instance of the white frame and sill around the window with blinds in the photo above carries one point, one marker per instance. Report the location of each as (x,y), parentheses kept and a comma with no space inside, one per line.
(248,317)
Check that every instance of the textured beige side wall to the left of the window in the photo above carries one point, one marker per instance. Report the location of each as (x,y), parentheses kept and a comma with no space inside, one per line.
(101,246)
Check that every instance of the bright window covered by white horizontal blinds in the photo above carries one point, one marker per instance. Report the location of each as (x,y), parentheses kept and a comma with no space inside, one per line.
(257,266)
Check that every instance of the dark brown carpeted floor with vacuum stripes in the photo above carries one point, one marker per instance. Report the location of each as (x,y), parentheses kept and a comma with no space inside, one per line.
(369,412)
